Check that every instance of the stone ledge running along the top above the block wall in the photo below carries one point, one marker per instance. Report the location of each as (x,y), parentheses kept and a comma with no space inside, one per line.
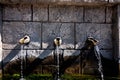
(68,2)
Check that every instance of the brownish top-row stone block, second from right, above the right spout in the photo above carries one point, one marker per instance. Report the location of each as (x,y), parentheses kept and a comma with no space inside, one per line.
(95,14)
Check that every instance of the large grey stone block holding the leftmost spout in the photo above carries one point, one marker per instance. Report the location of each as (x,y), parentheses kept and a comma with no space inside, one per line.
(13,31)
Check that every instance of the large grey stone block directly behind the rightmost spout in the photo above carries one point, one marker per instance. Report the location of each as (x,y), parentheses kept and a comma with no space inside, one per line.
(102,32)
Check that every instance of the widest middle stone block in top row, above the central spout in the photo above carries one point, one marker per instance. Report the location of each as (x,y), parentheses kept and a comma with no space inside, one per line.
(66,14)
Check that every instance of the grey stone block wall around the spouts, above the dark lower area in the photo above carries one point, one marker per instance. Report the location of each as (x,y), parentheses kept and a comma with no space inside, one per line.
(43,23)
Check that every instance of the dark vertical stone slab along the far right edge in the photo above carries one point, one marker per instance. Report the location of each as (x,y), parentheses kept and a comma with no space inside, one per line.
(116,36)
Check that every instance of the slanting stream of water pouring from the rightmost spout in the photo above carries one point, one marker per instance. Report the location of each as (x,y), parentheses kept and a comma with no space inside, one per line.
(97,54)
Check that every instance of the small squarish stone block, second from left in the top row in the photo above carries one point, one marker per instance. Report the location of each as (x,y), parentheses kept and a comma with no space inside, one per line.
(40,13)
